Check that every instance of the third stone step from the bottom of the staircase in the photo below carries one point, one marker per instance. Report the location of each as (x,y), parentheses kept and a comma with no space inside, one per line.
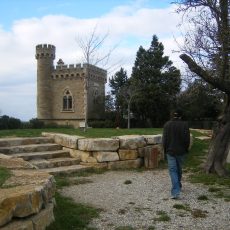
(43,155)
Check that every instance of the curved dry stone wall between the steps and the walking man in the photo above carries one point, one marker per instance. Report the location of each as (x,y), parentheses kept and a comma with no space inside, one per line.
(128,151)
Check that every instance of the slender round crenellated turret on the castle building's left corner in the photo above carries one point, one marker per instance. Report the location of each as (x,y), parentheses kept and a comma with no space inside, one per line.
(45,55)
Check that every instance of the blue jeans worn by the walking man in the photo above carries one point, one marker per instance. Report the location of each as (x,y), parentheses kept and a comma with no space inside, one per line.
(175,172)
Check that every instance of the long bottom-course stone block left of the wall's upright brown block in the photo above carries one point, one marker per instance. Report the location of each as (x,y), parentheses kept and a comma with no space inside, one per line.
(126,164)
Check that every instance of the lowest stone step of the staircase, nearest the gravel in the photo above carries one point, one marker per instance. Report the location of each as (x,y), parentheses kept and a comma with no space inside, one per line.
(65,169)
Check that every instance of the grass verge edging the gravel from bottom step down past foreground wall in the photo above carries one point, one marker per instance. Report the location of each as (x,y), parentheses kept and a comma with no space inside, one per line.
(68,214)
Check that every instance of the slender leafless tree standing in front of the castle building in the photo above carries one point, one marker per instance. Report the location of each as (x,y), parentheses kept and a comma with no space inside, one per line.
(91,47)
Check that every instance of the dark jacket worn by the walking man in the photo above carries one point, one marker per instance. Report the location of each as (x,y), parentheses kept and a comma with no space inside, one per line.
(176,137)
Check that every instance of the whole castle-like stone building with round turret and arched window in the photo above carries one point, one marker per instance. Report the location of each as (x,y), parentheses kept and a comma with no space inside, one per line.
(62,97)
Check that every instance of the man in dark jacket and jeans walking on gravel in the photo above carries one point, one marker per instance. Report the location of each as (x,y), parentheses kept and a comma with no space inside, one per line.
(176,139)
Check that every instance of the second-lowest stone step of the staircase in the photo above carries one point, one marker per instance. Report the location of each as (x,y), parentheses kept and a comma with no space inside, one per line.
(55,162)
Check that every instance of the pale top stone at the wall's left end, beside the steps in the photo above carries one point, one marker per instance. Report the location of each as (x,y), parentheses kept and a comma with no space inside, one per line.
(69,141)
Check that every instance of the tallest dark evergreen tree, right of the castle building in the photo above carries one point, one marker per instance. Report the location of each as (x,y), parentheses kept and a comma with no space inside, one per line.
(158,82)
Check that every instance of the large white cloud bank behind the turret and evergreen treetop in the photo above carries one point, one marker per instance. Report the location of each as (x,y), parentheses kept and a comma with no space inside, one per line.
(129,27)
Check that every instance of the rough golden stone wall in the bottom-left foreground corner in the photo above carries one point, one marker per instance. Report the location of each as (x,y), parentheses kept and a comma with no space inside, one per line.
(26,198)
